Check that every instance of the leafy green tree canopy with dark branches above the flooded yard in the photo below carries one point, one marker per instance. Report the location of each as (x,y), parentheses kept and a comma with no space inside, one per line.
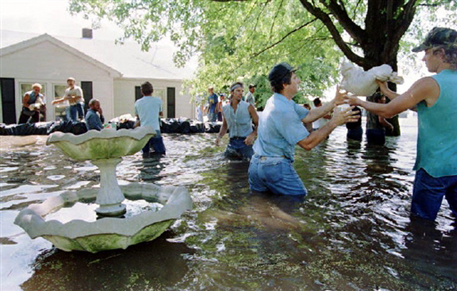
(239,40)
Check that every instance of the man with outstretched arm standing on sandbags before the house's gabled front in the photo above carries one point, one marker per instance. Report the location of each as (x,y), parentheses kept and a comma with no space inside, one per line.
(74,95)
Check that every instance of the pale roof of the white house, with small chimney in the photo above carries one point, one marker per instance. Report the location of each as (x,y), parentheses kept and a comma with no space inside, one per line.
(126,59)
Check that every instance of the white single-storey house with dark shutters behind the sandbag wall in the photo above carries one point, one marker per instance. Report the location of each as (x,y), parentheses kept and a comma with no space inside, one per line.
(104,70)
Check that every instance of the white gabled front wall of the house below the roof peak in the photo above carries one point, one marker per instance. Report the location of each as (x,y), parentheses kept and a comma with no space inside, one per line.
(49,64)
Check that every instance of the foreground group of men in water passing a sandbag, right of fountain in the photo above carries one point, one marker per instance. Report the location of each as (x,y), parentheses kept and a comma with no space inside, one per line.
(280,127)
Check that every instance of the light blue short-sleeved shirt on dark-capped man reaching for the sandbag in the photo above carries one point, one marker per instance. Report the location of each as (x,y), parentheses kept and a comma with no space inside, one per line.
(280,127)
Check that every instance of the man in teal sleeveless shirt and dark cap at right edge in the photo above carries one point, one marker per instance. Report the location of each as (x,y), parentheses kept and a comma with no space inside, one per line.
(435,100)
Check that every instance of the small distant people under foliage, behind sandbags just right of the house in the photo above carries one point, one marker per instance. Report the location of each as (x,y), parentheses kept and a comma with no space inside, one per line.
(215,103)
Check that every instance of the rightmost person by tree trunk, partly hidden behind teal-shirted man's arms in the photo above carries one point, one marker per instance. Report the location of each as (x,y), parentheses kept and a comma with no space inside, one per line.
(376,125)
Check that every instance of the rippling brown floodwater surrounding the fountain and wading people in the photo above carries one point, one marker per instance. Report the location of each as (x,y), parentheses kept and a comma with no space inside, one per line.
(352,232)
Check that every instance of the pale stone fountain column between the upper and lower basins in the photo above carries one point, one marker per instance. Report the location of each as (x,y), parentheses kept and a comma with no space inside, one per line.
(109,196)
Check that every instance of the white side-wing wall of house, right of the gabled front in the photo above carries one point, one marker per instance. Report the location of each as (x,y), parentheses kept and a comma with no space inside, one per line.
(124,96)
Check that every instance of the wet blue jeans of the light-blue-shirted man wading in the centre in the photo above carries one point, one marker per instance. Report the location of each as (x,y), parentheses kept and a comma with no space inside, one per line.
(275,174)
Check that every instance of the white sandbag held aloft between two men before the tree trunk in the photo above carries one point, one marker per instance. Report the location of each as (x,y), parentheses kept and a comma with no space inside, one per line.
(363,83)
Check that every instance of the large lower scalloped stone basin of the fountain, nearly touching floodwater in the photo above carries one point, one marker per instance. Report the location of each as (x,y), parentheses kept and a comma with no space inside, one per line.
(106,233)
